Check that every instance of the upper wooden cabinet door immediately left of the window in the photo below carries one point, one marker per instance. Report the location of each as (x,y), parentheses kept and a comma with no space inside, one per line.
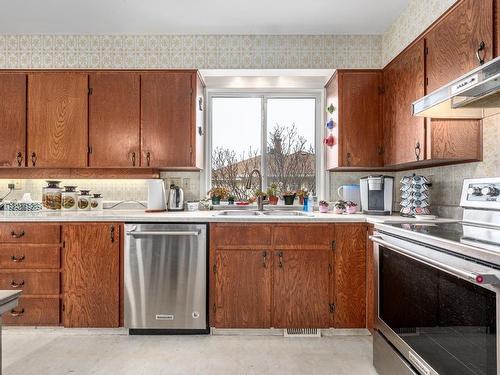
(167,119)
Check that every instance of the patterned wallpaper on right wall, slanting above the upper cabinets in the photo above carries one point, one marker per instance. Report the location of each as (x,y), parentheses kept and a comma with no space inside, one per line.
(419,15)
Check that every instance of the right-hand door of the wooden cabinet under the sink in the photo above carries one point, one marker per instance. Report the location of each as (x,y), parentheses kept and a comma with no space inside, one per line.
(300,289)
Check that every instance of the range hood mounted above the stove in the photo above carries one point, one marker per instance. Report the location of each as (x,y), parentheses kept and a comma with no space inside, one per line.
(475,95)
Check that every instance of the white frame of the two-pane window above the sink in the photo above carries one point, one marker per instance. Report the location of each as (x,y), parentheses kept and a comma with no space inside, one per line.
(322,176)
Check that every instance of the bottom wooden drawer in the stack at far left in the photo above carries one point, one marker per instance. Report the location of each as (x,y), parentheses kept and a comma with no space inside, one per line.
(33,311)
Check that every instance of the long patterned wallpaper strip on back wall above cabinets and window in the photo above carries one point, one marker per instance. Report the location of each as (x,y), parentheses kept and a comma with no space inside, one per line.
(190,51)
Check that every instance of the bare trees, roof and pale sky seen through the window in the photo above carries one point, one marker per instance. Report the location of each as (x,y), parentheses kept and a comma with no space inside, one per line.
(237,142)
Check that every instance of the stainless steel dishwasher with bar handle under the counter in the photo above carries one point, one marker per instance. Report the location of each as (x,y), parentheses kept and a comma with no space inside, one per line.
(165,270)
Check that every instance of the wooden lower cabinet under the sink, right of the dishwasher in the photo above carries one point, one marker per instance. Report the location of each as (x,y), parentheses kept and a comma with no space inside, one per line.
(314,281)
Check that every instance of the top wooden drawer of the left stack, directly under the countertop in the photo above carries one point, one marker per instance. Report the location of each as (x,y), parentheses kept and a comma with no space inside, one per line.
(30,233)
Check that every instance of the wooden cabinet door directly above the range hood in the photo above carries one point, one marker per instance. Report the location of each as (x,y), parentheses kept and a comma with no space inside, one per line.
(453,42)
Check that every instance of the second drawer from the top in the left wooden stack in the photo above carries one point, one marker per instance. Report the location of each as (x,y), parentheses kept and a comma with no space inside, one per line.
(15,256)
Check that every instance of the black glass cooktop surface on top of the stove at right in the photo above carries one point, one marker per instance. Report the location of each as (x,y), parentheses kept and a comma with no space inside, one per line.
(473,235)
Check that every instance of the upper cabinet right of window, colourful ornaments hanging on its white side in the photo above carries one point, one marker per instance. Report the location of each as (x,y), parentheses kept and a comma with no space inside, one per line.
(358,129)
